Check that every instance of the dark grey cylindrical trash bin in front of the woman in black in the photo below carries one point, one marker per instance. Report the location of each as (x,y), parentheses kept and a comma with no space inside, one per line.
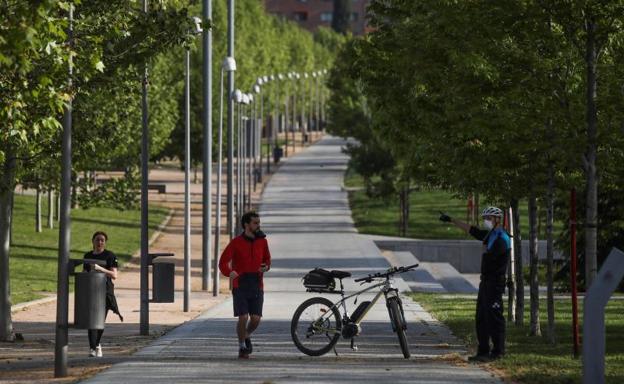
(90,300)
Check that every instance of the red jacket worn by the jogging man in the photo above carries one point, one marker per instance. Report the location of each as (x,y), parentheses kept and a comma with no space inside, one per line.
(244,256)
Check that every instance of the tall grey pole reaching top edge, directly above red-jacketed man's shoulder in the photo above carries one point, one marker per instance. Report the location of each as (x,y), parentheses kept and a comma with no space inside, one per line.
(230,87)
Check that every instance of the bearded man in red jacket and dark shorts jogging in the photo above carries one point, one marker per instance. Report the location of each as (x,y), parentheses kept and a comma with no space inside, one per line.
(245,260)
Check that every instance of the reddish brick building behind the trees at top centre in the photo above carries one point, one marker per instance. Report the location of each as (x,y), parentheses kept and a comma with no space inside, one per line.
(311,14)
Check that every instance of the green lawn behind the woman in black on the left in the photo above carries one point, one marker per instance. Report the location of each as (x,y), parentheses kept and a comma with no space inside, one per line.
(34,256)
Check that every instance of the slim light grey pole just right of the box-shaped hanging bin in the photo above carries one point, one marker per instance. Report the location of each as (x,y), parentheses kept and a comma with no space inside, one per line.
(187,183)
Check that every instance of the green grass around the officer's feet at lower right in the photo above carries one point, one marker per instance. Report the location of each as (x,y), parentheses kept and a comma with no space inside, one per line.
(534,359)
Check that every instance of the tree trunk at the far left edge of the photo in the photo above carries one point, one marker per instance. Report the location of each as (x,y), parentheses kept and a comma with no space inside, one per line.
(6,196)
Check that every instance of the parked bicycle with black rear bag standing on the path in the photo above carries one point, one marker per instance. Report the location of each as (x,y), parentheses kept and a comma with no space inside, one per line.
(317,323)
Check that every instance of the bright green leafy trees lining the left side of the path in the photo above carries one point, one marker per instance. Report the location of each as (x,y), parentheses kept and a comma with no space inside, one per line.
(111,43)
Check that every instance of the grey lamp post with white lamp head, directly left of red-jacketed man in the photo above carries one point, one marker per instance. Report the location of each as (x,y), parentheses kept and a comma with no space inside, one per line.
(228,65)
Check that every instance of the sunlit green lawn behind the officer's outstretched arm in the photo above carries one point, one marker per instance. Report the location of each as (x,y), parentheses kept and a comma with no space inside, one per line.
(381,217)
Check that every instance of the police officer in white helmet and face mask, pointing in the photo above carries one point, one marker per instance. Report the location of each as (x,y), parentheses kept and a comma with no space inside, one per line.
(490,321)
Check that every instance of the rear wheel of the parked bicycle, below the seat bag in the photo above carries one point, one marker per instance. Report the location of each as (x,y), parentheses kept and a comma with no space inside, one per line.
(315,326)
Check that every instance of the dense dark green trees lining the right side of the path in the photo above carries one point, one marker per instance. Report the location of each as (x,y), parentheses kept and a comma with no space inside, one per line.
(509,100)
